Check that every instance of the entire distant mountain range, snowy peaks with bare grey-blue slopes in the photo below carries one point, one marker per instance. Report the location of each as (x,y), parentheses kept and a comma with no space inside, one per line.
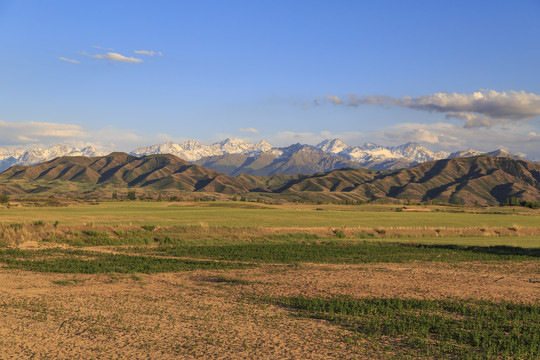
(238,156)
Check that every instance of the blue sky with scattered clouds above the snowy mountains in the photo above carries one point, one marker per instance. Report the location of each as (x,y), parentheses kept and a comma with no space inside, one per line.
(124,74)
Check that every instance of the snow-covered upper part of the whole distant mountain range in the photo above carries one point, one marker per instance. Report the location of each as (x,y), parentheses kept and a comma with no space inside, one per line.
(368,155)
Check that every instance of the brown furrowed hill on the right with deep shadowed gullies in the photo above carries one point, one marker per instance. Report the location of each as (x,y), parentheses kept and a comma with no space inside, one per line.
(482,179)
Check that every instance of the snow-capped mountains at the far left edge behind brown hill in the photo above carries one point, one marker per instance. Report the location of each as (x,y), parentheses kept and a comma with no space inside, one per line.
(10,157)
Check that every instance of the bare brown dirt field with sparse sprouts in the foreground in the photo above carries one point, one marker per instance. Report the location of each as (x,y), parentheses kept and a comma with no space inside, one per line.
(222,314)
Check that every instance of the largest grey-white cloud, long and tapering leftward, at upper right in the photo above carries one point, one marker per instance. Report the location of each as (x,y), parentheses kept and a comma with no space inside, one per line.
(480,109)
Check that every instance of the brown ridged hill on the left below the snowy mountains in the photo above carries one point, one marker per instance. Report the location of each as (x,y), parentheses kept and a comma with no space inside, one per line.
(122,170)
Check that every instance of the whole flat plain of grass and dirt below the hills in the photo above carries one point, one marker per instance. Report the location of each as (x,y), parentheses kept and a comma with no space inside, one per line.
(252,280)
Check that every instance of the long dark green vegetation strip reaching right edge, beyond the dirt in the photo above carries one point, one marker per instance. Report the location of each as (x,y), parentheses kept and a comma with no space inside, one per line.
(335,252)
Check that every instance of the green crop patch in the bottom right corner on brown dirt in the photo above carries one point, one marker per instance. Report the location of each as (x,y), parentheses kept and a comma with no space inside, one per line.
(433,328)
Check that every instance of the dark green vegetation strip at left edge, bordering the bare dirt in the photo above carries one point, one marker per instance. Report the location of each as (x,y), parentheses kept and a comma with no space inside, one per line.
(86,262)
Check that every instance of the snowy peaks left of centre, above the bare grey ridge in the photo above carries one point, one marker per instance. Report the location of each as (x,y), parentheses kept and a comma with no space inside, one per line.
(193,150)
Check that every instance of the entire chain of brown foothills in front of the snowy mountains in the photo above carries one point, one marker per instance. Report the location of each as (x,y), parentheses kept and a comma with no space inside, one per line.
(484,180)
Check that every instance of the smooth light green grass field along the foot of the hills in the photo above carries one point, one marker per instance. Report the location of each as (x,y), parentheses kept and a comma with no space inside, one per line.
(237,214)
